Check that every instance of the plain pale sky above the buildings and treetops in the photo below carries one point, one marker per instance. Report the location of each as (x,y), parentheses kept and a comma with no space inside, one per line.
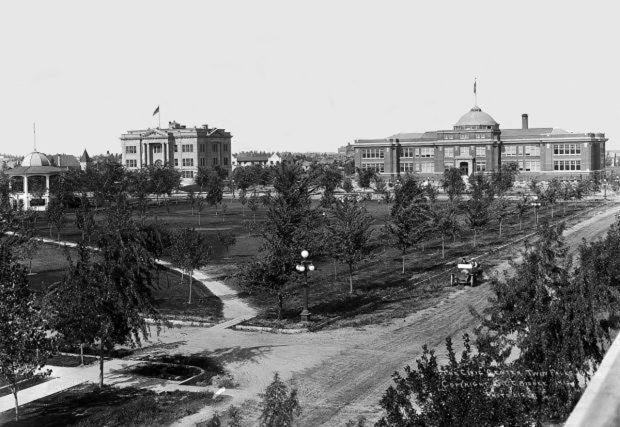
(301,76)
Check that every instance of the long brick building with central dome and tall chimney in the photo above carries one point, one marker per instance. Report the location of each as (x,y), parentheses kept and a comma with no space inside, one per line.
(477,144)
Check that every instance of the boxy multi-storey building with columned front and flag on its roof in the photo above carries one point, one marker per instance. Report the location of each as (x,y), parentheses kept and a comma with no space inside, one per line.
(186,149)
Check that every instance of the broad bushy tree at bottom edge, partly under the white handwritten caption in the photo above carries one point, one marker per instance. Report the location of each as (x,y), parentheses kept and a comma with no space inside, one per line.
(466,392)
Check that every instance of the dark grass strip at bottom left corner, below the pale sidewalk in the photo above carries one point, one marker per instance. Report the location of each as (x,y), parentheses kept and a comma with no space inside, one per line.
(87,405)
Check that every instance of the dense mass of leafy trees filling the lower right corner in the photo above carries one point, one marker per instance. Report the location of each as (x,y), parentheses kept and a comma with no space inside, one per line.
(536,346)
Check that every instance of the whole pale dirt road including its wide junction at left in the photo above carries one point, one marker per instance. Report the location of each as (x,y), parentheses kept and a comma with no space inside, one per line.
(341,374)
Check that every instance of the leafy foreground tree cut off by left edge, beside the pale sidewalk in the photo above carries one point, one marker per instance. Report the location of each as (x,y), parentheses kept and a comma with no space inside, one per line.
(24,344)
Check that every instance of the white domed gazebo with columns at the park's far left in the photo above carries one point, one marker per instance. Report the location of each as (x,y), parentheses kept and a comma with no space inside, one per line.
(34,174)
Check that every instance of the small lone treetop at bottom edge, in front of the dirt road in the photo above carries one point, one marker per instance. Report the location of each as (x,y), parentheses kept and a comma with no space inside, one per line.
(279,406)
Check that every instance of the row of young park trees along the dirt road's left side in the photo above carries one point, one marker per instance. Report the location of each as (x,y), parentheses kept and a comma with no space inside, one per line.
(342,229)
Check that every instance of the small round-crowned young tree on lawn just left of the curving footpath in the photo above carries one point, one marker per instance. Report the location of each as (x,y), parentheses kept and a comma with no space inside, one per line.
(190,251)
